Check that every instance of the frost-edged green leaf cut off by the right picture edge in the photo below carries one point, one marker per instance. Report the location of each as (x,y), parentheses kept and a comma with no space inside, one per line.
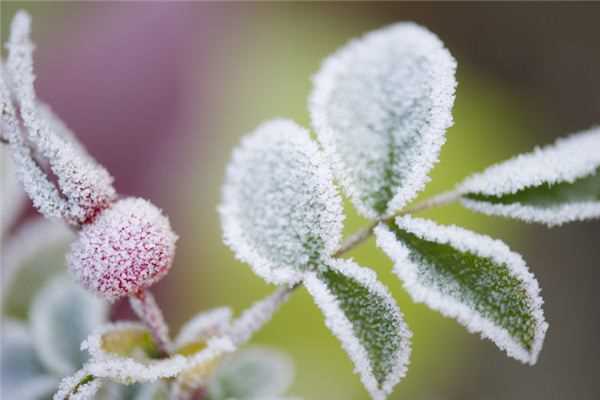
(553,185)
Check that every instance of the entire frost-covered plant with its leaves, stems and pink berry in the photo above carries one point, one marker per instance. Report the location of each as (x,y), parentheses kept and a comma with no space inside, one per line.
(380,109)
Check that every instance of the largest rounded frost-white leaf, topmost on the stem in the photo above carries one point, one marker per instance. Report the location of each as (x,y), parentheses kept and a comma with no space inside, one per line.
(380,107)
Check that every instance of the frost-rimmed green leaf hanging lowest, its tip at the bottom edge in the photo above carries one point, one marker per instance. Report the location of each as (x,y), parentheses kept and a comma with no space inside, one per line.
(361,313)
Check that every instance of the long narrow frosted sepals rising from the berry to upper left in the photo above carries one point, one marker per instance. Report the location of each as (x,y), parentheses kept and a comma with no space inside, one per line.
(85,185)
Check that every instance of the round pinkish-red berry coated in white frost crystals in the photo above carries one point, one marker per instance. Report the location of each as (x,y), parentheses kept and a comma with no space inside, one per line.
(128,247)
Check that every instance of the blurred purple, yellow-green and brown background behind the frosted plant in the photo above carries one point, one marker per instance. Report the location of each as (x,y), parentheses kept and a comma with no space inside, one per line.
(161,92)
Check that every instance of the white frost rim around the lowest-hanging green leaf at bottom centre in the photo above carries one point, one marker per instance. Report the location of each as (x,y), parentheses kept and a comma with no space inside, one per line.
(342,327)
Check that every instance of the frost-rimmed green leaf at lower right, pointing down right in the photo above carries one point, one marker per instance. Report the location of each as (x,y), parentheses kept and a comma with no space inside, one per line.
(473,278)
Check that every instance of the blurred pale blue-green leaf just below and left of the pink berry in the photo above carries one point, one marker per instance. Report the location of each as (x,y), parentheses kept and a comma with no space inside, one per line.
(62,315)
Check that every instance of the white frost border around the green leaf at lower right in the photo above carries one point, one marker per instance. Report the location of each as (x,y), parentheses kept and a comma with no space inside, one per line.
(482,246)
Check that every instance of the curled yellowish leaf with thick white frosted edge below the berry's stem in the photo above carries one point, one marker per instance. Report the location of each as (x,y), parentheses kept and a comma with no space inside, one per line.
(121,352)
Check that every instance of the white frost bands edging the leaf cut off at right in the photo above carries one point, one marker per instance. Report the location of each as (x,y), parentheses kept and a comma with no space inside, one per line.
(567,160)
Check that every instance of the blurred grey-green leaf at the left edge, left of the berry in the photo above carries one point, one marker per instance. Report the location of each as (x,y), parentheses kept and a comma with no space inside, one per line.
(31,257)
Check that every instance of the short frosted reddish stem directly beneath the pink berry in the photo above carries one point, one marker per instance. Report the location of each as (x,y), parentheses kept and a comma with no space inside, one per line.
(145,307)
